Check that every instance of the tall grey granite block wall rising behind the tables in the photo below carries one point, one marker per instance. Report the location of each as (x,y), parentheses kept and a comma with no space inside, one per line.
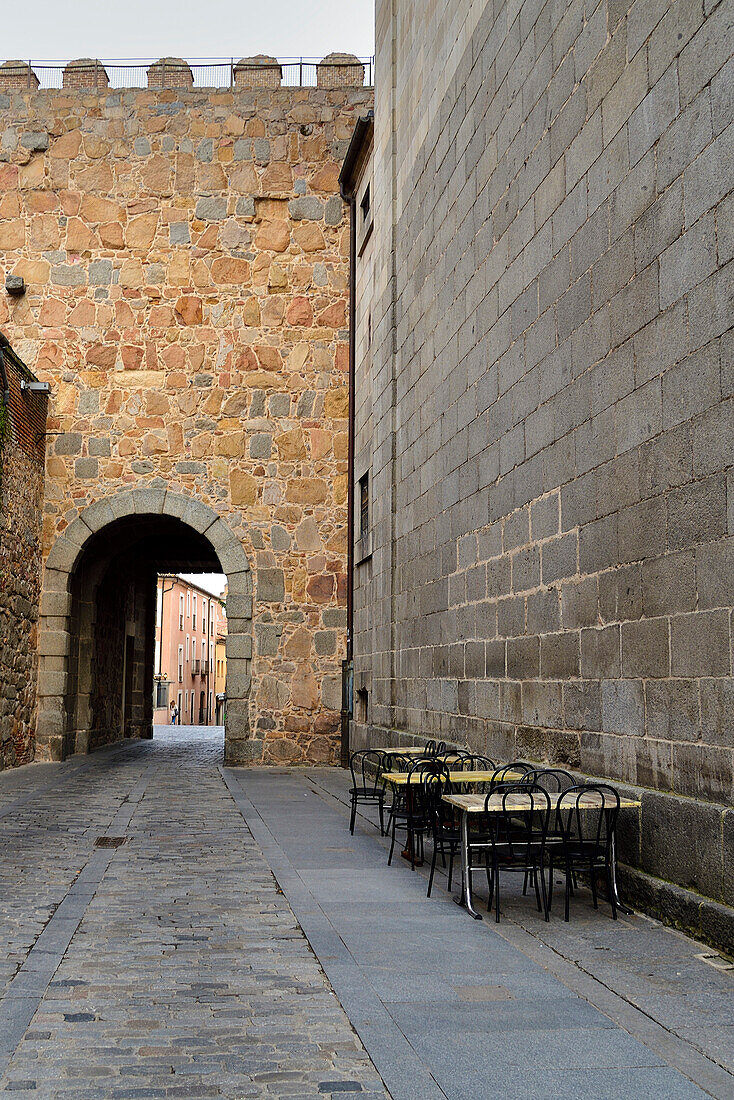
(551,398)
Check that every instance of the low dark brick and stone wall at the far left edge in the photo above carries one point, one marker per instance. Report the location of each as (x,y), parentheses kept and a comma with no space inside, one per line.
(21,500)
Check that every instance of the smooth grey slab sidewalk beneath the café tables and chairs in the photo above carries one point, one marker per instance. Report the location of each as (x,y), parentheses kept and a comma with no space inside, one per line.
(451,1008)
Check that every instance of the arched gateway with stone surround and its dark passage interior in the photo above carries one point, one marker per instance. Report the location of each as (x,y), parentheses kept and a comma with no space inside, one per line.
(97,624)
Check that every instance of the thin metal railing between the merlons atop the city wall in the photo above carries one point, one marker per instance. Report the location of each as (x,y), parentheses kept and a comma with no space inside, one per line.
(212,73)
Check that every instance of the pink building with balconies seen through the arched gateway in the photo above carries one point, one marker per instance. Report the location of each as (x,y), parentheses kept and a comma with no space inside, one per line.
(189,623)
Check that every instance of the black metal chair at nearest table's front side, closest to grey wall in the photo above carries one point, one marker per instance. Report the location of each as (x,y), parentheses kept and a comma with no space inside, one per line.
(587,816)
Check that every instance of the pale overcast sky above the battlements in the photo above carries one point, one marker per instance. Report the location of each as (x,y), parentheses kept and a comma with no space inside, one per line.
(63,30)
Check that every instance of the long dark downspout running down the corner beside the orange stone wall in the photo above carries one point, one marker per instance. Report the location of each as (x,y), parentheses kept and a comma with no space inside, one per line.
(348,672)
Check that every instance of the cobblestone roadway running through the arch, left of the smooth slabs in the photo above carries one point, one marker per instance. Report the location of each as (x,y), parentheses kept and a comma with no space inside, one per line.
(171,966)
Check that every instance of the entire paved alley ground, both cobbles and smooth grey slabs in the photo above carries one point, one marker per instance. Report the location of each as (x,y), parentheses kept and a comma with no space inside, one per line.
(240,943)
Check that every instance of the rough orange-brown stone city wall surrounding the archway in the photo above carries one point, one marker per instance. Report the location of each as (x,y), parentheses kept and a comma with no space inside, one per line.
(187,261)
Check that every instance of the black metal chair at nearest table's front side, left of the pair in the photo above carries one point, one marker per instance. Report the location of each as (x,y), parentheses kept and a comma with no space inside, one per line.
(518,840)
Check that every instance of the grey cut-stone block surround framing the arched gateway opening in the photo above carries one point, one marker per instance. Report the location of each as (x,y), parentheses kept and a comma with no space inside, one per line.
(64,670)
